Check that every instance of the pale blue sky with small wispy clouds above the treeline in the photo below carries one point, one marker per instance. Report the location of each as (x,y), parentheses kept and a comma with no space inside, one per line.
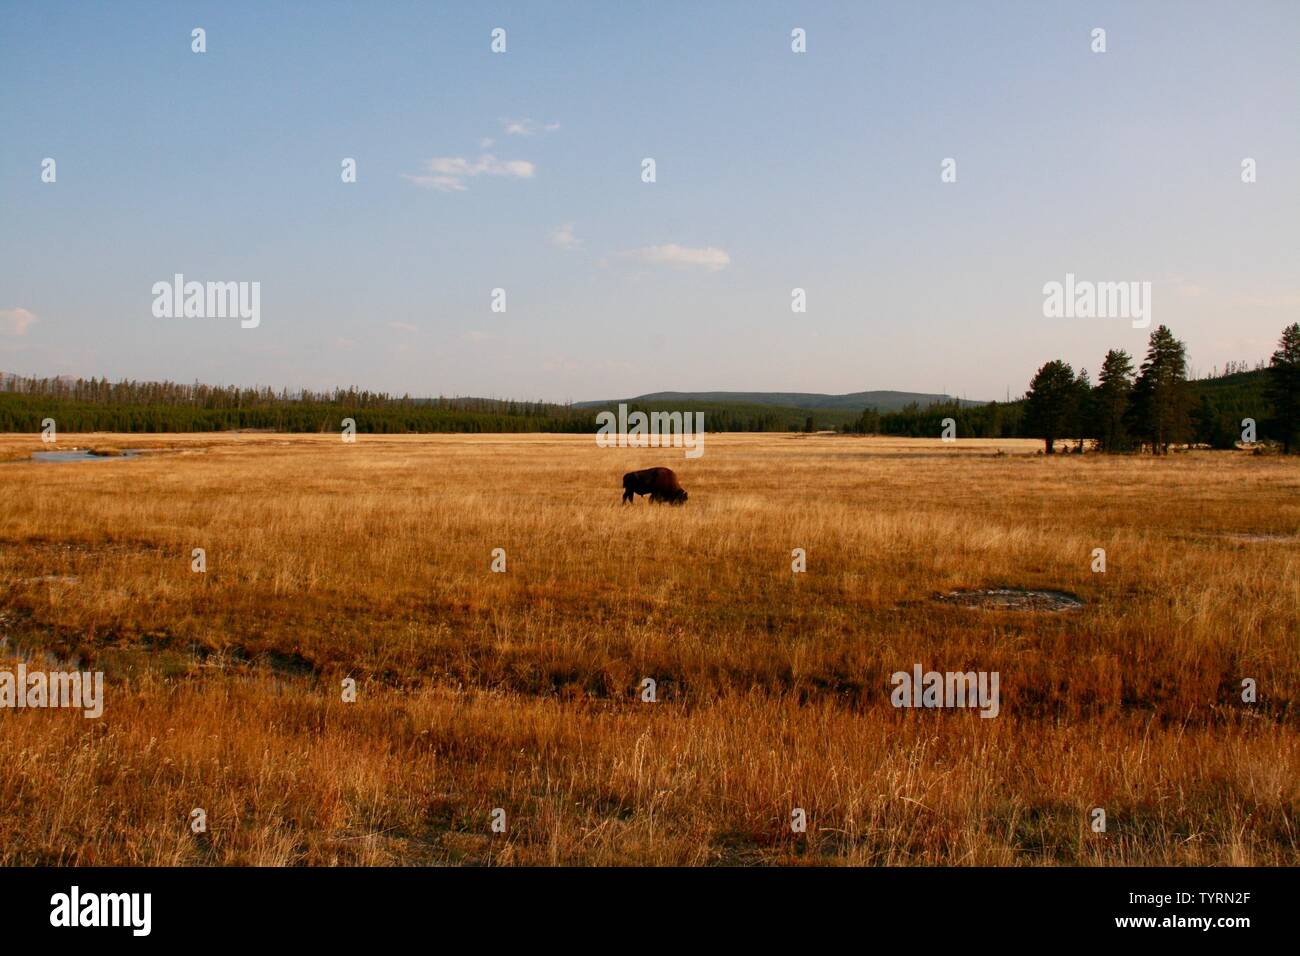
(523,171)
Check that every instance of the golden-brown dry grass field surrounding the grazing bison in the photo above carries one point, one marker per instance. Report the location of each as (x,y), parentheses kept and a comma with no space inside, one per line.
(521,690)
